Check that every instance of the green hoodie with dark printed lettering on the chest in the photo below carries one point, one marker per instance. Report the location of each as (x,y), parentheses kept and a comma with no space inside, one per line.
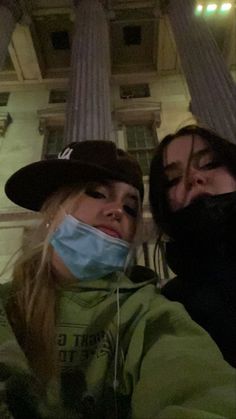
(125,352)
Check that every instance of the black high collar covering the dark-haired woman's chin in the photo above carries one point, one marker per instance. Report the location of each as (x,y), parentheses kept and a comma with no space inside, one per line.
(203,234)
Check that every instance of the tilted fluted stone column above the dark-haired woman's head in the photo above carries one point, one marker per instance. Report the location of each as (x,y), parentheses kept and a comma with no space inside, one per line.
(212,89)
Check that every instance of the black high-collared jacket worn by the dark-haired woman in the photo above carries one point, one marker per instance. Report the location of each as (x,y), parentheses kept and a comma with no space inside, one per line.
(206,273)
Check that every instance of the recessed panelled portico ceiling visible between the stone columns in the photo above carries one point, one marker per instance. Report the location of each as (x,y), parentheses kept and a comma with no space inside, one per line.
(34,57)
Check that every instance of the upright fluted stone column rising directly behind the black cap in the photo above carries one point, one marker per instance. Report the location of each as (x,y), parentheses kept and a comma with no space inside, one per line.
(89,110)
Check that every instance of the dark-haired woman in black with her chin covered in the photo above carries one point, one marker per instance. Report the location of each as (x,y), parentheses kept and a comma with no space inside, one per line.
(193,201)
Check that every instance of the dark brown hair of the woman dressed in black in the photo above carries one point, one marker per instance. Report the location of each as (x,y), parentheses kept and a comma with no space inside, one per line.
(225,151)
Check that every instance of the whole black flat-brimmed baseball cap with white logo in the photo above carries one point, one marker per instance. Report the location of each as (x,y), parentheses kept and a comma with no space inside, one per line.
(94,160)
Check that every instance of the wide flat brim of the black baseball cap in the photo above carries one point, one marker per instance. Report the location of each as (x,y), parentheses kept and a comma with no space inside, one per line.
(30,186)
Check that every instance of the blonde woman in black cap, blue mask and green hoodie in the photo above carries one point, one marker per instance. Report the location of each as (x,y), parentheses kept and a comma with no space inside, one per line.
(81,335)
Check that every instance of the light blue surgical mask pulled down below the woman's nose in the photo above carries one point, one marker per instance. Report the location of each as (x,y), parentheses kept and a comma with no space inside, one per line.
(86,251)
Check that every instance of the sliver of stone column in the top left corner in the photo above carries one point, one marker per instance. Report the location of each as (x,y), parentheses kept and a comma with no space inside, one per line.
(10,14)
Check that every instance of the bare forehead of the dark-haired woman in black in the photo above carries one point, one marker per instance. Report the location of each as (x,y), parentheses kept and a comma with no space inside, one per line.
(181,147)
